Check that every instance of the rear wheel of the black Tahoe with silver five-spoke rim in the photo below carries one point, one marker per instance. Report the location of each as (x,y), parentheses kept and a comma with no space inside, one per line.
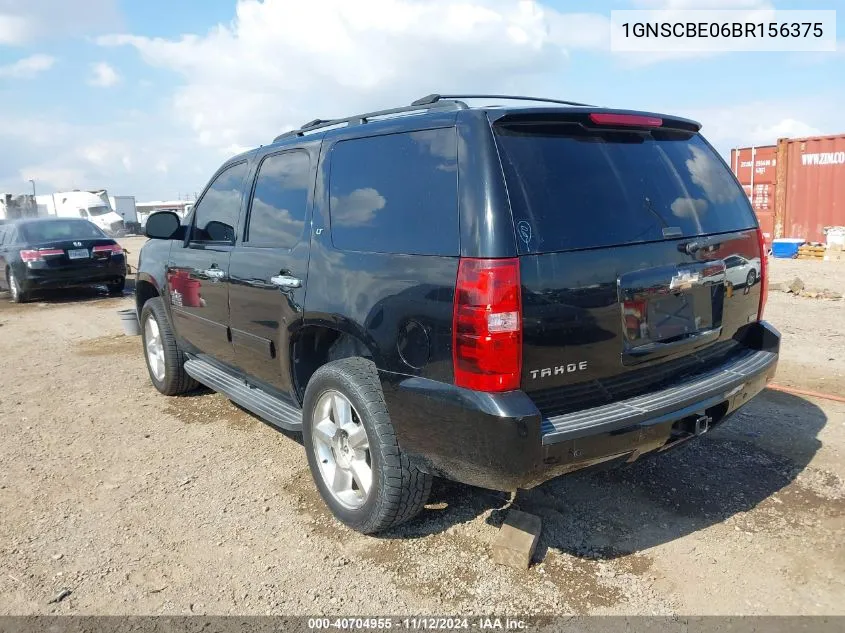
(362,475)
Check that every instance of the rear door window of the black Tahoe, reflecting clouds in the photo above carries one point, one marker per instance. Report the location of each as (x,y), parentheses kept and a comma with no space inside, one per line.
(280,200)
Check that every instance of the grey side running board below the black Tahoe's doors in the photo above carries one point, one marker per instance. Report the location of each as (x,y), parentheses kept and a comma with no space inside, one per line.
(256,400)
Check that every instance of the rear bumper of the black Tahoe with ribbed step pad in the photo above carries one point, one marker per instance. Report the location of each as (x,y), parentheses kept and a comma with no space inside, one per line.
(501,441)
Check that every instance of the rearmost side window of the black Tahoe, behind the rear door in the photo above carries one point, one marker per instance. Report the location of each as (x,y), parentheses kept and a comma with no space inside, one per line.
(396,193)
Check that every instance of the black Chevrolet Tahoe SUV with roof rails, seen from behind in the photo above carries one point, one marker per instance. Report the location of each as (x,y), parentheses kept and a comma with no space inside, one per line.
(496,295)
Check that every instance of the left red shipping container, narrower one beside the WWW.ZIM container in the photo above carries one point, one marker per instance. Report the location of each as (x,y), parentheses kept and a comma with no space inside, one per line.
(756,170)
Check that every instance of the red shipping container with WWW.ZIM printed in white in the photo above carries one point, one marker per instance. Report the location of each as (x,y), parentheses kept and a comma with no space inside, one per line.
(815,186)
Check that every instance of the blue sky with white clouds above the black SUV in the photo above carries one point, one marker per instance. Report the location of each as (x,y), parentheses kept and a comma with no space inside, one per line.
(148,98)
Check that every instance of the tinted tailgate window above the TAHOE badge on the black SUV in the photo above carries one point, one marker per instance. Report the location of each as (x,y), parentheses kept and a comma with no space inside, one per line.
(573,188)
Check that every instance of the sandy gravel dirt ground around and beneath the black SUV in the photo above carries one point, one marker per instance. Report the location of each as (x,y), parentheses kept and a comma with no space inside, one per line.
(141,504)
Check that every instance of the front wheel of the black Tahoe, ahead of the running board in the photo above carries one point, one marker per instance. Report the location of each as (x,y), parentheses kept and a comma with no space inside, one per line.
(165,361)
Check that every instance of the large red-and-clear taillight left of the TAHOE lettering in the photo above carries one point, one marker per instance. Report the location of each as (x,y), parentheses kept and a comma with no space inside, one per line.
(487,325)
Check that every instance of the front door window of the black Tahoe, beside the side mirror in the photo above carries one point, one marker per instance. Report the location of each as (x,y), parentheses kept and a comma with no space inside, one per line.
(217,212)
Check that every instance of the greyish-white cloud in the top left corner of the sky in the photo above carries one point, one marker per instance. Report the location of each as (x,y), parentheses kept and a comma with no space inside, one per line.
(22,21)
